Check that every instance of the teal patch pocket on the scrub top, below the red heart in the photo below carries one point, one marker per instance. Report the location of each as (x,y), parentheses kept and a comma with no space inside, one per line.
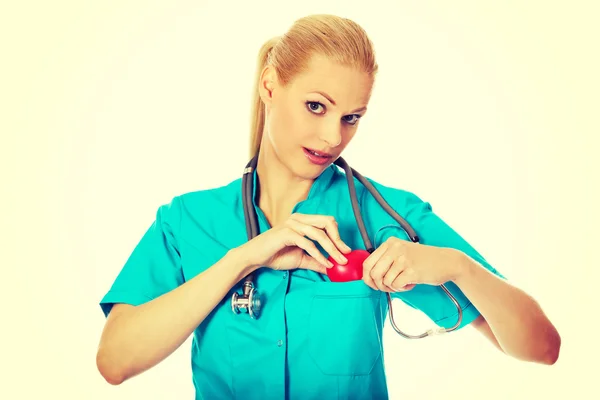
(344,328)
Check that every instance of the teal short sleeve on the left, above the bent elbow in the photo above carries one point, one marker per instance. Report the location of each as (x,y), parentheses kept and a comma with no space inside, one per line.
(154,266)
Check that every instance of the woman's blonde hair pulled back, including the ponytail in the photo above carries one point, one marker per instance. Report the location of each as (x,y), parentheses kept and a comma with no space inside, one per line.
(340,39)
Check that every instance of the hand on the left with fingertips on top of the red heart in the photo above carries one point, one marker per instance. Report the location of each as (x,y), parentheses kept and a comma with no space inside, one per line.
(283,247)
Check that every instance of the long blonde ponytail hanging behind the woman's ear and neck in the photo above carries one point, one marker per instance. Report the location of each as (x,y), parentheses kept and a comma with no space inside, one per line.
(257,123)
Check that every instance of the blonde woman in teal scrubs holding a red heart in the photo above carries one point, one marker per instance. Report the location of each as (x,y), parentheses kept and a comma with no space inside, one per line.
(314,338)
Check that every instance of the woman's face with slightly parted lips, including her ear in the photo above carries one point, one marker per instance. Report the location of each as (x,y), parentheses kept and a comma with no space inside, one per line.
(318,111)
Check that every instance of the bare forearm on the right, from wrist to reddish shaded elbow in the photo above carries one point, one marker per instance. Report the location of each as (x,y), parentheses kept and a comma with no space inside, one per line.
(515,318)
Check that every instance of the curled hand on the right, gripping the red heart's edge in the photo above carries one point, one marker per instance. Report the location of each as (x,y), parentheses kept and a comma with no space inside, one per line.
(399,265)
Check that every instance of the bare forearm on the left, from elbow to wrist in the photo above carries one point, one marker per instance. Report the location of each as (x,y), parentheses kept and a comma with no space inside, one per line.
(140,337)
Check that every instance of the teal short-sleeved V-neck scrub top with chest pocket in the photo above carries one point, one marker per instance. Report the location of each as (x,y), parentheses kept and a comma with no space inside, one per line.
(315,339)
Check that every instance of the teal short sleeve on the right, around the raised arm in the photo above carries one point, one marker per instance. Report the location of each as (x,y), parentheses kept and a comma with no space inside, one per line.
(433,231)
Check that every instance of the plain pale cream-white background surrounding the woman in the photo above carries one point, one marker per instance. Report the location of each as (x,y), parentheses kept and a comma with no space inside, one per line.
(488,110)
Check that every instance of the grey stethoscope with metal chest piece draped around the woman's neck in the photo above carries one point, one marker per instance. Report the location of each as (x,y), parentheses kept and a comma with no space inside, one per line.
(250,299)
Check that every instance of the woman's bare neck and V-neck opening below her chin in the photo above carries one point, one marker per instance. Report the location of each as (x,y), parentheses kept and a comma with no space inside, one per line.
(280,189)
